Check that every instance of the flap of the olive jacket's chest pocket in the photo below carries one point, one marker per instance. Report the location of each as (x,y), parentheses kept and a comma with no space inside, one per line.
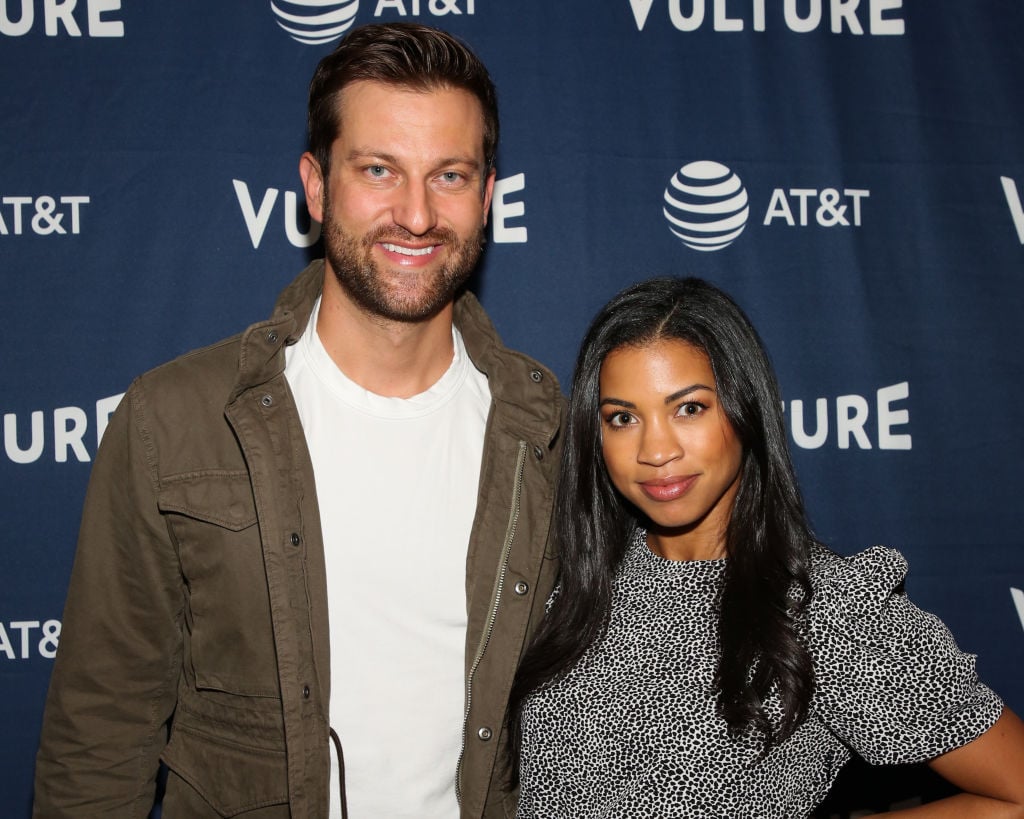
(221,497)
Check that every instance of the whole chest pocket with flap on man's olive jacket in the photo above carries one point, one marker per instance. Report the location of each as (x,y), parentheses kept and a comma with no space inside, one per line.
(230,638)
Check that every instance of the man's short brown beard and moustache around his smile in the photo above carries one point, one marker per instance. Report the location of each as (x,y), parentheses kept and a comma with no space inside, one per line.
(362,279)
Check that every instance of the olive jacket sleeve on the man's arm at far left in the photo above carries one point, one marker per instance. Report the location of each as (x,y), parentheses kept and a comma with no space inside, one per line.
(115,677)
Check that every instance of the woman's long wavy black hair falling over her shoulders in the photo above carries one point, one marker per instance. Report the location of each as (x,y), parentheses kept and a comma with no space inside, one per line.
(769,540)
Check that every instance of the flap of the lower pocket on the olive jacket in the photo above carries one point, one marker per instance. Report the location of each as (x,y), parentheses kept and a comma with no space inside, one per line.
(232,777)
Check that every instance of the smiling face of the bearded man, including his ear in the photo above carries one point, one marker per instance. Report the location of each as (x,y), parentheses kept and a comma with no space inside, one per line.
(405,208)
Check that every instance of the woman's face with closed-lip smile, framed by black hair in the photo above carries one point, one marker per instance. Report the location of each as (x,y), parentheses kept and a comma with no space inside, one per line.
(668,446)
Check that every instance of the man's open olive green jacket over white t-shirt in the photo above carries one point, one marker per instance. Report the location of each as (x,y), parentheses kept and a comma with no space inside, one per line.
(196,628)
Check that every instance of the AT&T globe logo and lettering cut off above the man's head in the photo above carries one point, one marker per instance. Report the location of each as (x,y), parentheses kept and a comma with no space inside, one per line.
(319,22)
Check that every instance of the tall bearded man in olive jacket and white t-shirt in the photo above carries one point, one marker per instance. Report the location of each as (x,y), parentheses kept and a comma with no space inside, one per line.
(371,451)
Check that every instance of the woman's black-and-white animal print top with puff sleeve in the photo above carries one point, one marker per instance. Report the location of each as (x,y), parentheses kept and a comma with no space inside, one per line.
(631,731)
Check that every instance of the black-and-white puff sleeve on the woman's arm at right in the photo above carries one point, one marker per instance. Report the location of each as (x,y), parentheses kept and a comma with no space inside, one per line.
(890,681)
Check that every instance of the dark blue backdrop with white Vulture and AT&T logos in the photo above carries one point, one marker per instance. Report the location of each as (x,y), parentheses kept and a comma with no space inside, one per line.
(873,153)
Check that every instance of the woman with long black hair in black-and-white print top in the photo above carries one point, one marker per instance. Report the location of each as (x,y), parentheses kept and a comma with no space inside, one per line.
(704,656)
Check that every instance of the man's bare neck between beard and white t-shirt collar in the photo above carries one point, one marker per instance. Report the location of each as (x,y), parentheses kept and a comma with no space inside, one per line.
(392,359)
